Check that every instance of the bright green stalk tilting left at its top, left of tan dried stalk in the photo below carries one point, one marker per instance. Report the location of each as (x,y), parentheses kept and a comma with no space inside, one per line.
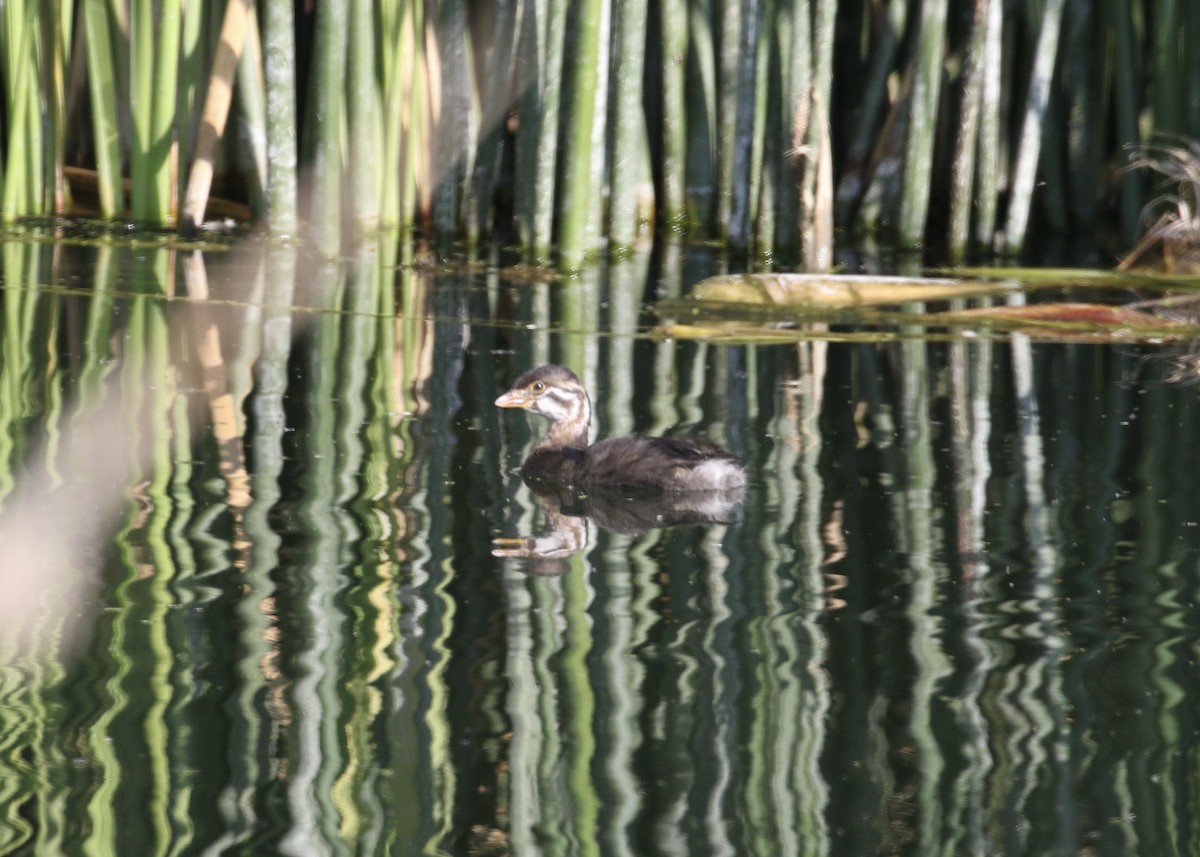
(105,124)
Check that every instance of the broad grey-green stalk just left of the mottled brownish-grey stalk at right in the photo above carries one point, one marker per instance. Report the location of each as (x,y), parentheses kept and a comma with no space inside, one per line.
(919,171)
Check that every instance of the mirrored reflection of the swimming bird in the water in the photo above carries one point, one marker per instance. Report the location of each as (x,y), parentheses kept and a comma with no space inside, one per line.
(571,512)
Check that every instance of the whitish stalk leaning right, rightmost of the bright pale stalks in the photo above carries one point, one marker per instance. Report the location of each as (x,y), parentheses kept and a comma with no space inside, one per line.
(1030,147)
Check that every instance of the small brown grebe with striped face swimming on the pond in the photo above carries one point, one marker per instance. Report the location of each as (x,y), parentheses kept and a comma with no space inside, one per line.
(646,465)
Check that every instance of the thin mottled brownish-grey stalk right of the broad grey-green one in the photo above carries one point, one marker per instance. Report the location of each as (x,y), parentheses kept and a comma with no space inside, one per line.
(967,143)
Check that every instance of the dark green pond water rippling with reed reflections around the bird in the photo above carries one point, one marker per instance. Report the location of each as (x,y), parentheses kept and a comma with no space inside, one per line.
(251,606)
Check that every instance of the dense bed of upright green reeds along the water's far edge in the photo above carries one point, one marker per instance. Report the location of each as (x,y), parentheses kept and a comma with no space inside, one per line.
(784,129)
